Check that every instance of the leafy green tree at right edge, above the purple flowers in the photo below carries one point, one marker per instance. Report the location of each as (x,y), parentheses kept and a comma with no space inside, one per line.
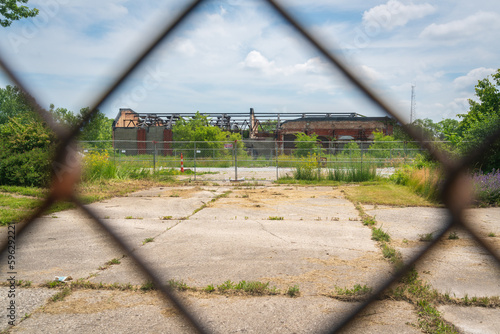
(482,120)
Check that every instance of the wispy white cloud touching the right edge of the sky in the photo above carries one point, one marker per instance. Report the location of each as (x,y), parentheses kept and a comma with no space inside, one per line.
(471,26)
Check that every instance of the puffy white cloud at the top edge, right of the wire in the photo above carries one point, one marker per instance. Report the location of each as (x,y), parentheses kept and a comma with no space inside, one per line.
(395,14)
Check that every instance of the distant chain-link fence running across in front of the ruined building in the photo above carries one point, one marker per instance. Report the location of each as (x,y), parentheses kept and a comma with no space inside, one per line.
(269,163)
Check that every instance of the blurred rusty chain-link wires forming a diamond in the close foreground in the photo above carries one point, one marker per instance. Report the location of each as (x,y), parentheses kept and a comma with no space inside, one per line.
(454,191)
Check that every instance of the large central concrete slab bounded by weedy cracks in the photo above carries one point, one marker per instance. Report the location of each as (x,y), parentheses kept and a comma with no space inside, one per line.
(314,245)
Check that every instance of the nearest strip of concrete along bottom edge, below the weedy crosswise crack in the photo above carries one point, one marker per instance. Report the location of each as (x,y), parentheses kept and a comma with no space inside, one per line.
(134,312)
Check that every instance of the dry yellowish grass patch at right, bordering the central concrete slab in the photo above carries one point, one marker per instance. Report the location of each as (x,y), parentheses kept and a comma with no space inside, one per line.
(385,193)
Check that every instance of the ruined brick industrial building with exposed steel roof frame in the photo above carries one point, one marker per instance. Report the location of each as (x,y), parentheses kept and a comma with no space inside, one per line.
(137,133)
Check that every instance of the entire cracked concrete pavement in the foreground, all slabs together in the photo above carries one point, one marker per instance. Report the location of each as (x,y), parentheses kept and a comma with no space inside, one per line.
(311,237)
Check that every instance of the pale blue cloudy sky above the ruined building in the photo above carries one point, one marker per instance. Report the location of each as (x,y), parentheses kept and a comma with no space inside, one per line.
(233,55)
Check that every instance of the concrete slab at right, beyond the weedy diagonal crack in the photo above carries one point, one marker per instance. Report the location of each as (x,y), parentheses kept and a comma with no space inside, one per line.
(458,267)
